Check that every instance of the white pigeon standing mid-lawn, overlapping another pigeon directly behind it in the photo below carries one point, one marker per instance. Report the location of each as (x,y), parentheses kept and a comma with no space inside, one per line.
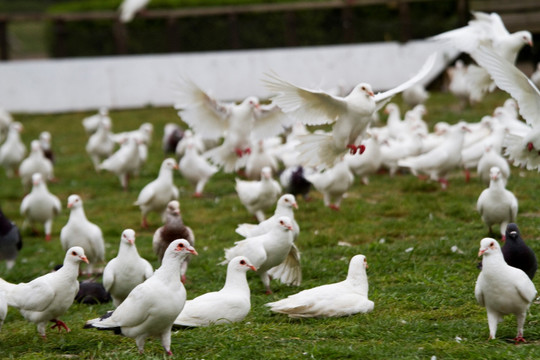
(265,251)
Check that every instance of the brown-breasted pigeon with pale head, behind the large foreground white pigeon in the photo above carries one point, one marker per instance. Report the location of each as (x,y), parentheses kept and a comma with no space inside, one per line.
(174,228)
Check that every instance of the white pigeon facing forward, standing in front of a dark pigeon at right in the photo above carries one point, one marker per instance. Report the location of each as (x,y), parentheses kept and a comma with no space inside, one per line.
(502,289)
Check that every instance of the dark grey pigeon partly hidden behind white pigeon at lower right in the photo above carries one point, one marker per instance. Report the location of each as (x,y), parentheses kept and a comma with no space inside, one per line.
(516,253)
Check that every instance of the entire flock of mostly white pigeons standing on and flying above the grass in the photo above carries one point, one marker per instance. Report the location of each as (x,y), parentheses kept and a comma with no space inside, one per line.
(277,158)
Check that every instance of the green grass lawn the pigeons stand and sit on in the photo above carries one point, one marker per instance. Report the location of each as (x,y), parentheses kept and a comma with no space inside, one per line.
(424,299)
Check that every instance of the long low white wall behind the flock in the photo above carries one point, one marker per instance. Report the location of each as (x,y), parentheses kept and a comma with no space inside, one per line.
(40,86)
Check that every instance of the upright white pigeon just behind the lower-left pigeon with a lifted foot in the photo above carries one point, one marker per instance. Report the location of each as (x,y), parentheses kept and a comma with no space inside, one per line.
(80,232)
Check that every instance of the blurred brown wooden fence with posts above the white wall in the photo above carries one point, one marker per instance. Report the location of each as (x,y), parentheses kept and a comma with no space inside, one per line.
(516,14)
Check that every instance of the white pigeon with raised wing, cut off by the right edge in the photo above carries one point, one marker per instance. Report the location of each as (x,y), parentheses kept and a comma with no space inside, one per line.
(521,150)
